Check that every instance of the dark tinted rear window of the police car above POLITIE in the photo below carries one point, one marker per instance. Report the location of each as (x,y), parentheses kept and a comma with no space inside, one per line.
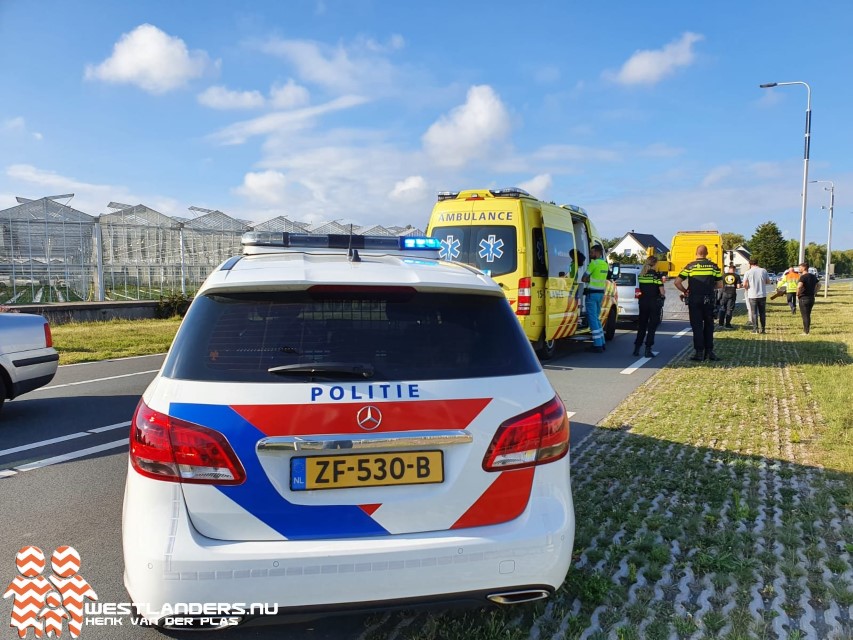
(397,334)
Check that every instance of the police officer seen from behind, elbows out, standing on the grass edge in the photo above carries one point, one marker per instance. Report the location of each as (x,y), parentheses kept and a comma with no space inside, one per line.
(703,278)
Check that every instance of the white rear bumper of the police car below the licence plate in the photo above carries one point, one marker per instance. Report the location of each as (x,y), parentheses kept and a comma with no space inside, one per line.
(167,563)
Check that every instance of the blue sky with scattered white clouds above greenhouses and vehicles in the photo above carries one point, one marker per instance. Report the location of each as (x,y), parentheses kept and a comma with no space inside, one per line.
(649,114)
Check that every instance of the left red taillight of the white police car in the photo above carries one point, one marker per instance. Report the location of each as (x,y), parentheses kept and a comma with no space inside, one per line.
(166,448)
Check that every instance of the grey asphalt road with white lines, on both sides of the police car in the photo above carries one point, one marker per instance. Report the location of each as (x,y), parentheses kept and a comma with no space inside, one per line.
(63,460)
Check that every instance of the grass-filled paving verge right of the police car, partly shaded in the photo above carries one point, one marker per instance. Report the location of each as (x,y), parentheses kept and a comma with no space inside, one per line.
(715,502)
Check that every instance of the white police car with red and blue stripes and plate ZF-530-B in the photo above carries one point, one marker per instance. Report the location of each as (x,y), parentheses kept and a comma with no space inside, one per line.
(345,423)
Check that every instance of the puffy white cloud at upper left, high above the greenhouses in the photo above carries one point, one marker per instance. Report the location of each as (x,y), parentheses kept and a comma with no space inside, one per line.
(152,60)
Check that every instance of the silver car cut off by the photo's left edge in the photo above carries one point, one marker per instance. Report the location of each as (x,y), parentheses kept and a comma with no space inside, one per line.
(27,357)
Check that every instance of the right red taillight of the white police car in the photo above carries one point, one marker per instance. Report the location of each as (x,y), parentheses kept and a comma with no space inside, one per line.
(532,438)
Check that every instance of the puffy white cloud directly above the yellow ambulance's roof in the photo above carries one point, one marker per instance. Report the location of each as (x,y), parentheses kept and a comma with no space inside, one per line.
(469,131)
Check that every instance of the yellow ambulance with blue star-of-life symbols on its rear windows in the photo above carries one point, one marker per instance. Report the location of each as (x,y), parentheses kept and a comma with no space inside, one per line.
(536,251)
